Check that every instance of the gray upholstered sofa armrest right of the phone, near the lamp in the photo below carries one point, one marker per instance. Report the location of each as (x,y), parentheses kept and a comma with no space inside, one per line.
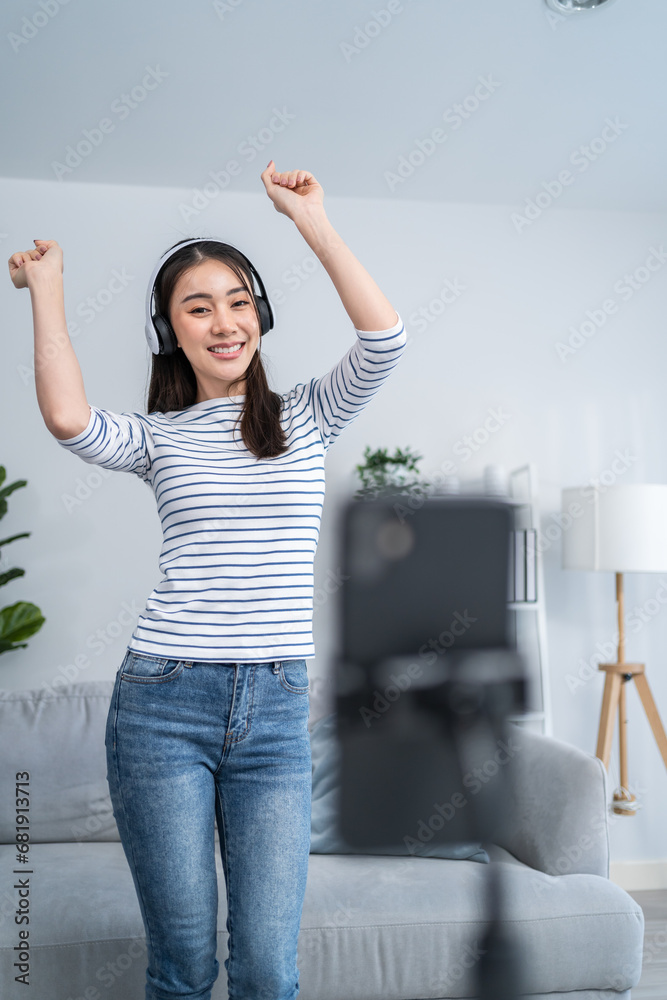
(557,809)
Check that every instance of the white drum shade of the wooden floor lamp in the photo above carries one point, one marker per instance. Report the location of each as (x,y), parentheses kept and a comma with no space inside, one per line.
(622,529)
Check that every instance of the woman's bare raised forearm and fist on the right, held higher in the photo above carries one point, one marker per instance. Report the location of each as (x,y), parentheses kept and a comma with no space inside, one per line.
(298,195)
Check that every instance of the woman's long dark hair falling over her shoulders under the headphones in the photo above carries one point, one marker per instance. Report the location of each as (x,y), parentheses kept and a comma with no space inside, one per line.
(173,384)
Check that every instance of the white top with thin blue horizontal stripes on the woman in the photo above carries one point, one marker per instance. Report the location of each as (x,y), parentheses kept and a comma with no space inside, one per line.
(239,533)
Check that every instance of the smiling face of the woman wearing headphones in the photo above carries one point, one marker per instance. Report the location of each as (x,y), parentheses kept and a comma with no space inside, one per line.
(210,309)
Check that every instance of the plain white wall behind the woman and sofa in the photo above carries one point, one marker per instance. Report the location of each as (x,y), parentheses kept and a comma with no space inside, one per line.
(493,348)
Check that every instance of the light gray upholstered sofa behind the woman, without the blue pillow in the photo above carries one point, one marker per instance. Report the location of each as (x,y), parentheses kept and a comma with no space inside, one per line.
(373,927)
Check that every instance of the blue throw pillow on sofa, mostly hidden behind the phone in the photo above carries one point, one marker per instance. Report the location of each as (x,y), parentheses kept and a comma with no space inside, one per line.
(325,835)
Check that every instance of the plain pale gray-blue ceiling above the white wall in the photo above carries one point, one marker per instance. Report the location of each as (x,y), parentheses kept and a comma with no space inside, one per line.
(344,90)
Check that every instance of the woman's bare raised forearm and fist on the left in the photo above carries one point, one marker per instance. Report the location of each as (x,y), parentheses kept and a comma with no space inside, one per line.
(58,380)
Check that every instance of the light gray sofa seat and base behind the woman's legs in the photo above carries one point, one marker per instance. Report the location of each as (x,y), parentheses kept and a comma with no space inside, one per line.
(373,927)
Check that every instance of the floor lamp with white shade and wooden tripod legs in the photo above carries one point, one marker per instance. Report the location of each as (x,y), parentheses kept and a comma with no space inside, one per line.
(622,530)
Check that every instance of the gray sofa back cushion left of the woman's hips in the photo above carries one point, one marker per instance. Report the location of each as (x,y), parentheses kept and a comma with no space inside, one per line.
(59,739)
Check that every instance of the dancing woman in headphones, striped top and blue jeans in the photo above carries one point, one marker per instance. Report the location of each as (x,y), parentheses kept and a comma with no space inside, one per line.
(209,714)
